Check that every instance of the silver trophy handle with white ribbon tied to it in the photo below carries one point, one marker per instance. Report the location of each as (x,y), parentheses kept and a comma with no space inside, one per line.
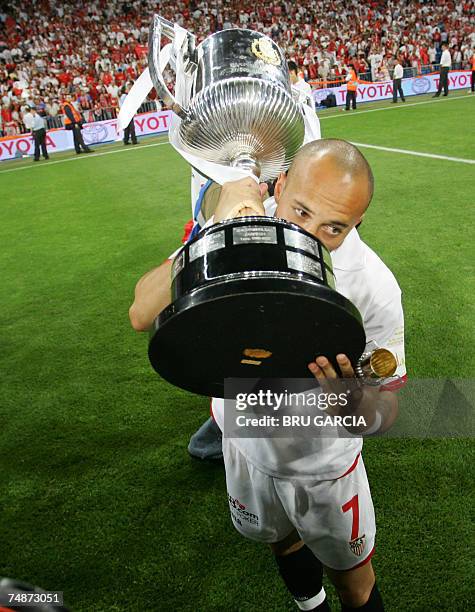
(163,26)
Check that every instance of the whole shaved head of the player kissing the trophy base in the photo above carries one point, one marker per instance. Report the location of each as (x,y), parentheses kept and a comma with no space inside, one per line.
(326,190)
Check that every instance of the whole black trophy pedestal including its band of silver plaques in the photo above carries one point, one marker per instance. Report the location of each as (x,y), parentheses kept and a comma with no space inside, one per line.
(252,297)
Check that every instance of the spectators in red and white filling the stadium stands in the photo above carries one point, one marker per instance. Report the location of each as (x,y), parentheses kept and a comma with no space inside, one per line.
(49,49)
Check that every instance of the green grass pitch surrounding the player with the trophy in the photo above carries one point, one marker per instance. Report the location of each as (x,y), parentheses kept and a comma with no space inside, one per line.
(98,496)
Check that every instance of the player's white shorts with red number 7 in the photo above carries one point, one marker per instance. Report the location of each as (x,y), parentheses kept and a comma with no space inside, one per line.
(335,518)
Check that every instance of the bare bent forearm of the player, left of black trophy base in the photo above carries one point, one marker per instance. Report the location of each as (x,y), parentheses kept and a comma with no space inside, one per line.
(152,295)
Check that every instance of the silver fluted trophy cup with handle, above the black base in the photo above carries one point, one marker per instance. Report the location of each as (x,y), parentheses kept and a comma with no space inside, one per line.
(233,96)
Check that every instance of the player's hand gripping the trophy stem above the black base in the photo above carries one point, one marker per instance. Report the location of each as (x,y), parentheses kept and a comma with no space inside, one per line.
(235,194)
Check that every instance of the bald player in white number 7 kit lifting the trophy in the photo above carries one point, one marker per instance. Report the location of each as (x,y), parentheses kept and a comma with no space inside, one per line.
(309,498)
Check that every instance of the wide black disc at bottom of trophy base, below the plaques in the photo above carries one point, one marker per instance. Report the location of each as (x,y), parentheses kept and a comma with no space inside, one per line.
(252,328)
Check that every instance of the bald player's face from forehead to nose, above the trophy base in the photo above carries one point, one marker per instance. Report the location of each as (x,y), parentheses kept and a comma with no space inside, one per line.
(322,200)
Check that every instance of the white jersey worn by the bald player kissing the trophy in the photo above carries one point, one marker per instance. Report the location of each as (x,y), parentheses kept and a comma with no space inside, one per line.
(365,280)
